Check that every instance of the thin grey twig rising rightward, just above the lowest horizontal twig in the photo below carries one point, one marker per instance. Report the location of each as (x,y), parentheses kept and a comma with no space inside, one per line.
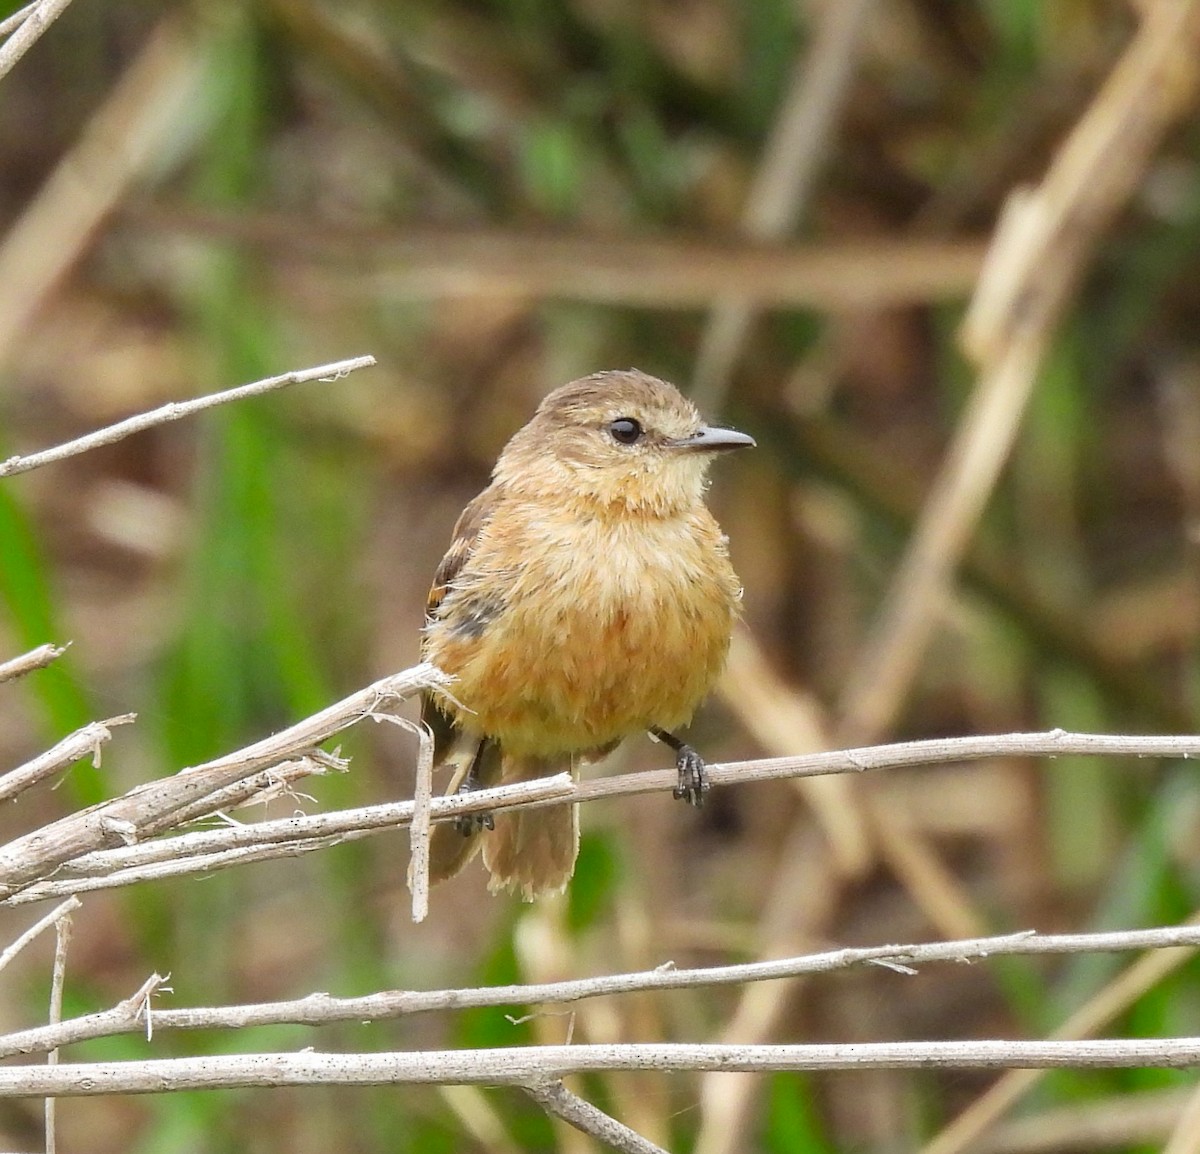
(322,1009)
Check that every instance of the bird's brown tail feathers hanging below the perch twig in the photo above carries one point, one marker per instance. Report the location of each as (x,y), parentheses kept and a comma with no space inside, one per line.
(530,852)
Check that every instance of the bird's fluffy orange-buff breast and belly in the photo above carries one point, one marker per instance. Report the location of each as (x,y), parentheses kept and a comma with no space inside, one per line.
(585,656)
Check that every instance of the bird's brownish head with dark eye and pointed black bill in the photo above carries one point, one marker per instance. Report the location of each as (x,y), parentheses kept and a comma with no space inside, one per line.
(617,440)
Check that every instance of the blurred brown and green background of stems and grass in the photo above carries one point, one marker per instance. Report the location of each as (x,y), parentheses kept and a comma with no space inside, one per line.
(783,207)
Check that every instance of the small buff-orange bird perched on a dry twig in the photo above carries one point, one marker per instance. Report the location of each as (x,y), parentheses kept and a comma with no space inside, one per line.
(587,597)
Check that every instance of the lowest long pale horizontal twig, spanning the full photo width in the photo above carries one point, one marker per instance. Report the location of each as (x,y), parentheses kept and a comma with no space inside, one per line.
(524,1066)
